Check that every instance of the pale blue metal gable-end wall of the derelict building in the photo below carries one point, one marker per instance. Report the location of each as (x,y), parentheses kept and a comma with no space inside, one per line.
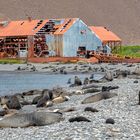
(79,35)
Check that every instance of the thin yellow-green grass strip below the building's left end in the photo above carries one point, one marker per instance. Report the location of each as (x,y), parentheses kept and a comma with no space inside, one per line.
(11,61)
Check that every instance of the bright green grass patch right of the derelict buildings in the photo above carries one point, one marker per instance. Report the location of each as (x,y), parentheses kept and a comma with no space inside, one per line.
(131,51)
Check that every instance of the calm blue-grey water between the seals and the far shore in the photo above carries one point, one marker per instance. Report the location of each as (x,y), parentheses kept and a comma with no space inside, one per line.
(17,82)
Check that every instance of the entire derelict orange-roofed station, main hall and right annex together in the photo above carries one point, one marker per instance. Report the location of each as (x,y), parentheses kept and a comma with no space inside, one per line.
(54,39)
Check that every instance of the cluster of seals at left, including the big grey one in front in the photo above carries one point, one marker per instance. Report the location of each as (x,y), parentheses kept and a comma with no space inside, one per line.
(14,116)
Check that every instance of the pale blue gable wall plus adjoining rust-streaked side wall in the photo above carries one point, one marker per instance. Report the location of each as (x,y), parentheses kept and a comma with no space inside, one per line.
(78,35)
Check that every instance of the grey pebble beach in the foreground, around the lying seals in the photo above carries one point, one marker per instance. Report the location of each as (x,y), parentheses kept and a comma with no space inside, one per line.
(122,108)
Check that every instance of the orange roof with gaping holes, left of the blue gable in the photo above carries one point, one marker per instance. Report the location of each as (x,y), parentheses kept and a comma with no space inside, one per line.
(32,27)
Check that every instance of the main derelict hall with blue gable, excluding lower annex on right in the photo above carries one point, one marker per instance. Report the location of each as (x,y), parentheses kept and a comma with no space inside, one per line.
(49,37)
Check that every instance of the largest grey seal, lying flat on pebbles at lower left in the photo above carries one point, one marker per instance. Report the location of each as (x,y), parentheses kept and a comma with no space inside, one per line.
(31,119)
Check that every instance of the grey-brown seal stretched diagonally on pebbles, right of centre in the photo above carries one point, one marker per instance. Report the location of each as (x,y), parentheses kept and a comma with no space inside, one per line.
(98,97)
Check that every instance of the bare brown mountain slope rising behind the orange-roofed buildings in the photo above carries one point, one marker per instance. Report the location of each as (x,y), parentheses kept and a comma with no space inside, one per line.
(120,16)
